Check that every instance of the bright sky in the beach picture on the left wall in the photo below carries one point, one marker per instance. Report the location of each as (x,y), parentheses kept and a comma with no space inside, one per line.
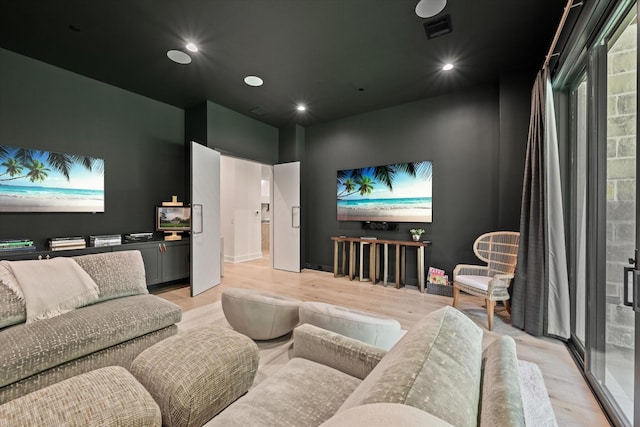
(80,177)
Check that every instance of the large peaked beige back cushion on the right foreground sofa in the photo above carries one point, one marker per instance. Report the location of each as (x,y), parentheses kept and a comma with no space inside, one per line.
(435,367)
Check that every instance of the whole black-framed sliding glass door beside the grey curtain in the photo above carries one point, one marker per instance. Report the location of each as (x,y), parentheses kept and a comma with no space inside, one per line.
(603,216)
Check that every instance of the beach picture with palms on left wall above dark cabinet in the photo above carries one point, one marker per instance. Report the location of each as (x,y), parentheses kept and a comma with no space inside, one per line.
(45,181)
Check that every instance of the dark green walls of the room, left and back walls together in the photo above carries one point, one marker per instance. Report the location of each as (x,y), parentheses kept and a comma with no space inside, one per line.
(474,138)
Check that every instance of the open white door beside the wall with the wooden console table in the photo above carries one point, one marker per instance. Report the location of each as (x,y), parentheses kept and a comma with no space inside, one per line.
(286,217)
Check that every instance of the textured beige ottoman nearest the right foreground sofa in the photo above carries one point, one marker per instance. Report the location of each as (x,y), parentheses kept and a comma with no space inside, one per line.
(194,375)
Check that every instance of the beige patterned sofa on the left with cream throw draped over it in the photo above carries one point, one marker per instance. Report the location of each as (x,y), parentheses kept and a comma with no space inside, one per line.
(112,330)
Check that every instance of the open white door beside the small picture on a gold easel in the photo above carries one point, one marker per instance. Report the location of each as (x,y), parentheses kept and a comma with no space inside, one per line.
(205,232)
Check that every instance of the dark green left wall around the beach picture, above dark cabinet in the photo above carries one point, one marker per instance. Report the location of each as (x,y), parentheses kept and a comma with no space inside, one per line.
(141,141)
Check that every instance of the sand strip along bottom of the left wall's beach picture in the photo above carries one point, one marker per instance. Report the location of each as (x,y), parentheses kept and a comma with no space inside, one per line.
(39,204)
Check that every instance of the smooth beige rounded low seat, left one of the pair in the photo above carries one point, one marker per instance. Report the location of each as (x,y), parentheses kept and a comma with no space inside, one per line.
(259,315)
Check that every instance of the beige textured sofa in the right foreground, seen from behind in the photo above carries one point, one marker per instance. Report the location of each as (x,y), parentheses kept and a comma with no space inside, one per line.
(438,368)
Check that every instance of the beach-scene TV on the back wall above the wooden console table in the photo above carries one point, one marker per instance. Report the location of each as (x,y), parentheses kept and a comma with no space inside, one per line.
(400,192)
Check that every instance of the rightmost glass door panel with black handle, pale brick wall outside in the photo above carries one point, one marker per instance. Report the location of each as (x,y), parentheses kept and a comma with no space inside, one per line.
(613,365)
